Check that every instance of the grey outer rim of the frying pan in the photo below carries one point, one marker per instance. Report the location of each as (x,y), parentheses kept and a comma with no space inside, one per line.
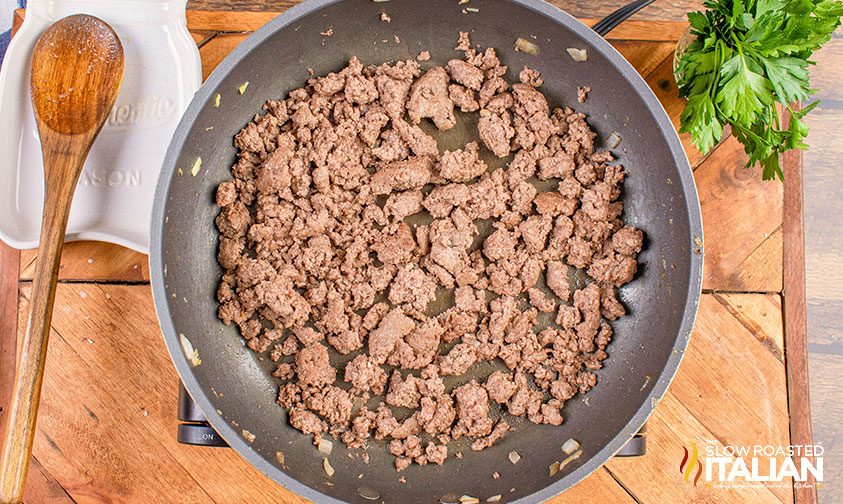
(200,396)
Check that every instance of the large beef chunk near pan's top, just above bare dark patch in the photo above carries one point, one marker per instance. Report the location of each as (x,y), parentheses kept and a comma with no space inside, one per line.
(429,98)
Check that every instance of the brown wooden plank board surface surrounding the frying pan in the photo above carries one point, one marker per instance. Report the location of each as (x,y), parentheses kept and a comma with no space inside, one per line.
(107,425)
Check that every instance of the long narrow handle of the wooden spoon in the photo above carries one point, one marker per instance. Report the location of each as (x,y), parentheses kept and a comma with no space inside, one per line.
(30,369)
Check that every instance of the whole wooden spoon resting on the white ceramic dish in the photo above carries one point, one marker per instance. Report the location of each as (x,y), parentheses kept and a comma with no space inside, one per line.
(77,68)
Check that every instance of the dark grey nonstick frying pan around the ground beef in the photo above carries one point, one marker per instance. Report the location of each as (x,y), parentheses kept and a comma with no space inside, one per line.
(233,386)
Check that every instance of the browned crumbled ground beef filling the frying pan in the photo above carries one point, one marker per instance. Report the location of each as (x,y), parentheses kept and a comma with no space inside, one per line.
(346,231)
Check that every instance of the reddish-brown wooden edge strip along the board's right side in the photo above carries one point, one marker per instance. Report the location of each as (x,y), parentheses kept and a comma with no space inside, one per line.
(795,320)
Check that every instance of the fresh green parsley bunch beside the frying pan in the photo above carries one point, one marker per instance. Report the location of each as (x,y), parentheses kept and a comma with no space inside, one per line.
(748,56)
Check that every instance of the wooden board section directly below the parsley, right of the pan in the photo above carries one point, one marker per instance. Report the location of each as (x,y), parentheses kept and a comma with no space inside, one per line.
(741,218)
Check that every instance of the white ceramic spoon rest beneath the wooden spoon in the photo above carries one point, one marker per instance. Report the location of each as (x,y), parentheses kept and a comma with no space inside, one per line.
(113,201)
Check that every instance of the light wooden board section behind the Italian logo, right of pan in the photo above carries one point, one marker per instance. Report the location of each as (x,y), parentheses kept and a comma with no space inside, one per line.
(725,370)
